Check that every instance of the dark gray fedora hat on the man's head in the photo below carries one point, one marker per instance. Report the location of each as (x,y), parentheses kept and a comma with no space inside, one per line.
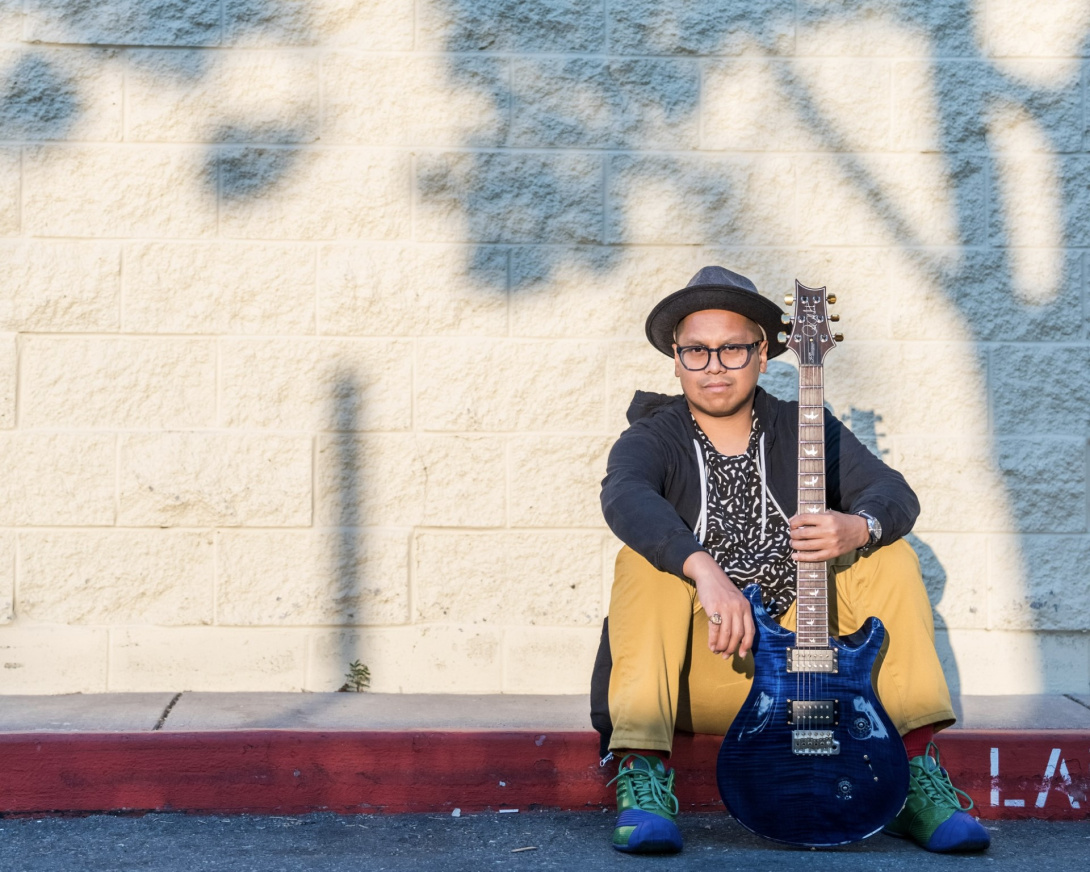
(714,287)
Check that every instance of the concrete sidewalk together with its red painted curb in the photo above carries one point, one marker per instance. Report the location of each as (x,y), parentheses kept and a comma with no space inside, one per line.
(295,754)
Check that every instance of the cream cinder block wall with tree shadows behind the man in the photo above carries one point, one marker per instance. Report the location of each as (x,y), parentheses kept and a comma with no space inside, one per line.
(319,317)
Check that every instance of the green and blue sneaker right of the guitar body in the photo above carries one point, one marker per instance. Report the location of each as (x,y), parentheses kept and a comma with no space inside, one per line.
(934,816)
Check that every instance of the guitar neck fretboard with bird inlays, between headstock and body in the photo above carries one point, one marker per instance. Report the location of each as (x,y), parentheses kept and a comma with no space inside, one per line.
(812,579)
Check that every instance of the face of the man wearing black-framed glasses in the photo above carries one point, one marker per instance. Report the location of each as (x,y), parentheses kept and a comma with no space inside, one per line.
(718,392)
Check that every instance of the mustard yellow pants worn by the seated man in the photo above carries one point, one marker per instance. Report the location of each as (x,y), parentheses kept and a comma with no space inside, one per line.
(665,677)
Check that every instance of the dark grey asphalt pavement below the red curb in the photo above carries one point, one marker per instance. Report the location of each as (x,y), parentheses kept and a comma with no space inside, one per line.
(524,841)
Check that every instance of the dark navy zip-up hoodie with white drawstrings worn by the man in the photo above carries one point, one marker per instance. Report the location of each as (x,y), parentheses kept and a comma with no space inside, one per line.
(653,491)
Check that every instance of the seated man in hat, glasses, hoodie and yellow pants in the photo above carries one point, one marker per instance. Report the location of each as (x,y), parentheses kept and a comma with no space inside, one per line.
(703,491)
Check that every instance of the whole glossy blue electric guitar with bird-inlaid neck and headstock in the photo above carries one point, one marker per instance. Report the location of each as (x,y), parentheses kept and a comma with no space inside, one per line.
(813,758)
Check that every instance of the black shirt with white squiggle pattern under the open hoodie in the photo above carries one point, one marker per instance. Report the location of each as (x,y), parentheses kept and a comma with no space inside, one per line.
(750,550)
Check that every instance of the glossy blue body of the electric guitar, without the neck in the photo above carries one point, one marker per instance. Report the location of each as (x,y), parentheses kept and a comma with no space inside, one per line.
(813,798)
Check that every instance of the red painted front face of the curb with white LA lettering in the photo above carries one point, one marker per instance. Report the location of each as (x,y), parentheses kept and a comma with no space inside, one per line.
(1010,776)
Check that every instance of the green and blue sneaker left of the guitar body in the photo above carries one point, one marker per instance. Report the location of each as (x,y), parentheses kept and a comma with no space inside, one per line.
(648,807)
